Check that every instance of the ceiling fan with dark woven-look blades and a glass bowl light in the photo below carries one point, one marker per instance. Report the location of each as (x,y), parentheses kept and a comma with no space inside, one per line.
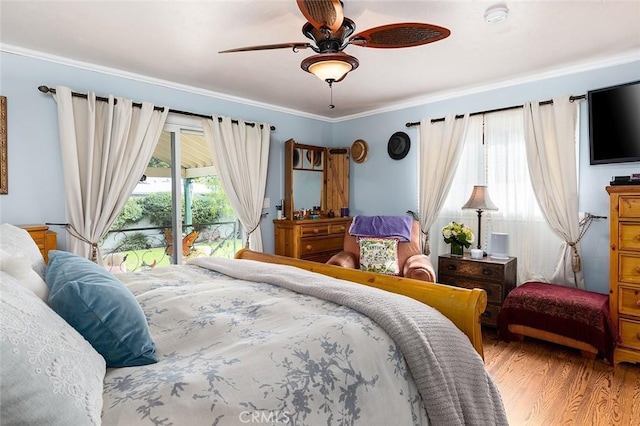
(331,32)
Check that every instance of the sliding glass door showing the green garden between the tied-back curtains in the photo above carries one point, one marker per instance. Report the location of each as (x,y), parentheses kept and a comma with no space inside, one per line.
(179,194)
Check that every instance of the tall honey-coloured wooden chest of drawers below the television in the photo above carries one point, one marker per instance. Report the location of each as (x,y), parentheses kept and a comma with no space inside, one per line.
(624,272)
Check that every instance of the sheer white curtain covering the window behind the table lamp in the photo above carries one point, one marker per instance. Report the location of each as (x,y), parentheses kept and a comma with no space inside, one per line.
(499,161)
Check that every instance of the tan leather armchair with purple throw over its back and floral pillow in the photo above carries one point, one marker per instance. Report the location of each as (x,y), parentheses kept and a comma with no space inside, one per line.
(412,263)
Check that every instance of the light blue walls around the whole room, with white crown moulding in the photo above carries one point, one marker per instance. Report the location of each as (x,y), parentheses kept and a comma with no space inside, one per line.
(380,185)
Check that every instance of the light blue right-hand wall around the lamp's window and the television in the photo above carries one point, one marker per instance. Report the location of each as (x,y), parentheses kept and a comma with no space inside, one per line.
(382,185)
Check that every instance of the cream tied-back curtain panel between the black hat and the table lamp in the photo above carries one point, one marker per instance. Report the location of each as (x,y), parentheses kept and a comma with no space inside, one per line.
(440,147)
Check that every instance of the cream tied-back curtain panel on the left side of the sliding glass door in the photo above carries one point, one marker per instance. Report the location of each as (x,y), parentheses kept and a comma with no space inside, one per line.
(106,147)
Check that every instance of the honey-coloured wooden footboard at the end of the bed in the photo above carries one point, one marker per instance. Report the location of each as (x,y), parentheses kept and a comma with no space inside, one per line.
(462,306)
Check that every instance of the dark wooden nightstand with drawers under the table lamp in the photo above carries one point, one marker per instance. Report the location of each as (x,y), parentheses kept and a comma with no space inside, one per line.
(495,276)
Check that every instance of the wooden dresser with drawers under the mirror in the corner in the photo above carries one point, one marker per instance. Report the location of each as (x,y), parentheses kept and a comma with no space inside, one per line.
(312,239)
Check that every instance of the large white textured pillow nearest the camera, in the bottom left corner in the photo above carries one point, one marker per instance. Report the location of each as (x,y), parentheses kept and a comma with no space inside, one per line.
(50,374)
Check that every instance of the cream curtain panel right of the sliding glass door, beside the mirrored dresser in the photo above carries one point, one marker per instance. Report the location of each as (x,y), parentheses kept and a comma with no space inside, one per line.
(240,153)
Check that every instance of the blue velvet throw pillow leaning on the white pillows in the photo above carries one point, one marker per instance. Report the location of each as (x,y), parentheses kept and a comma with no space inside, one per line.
(100,308)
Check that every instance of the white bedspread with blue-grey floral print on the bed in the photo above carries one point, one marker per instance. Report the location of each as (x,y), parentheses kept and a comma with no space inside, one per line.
(236,352)
